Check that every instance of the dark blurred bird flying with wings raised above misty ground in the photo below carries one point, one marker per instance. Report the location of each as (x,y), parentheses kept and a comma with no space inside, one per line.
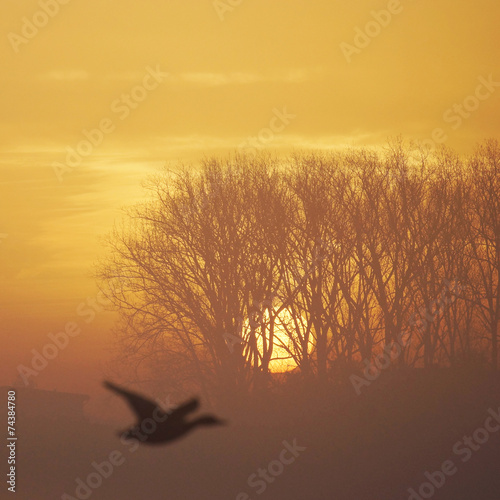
(154,425)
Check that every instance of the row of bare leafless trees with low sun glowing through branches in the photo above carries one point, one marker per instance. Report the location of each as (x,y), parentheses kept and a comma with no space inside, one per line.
(333,257)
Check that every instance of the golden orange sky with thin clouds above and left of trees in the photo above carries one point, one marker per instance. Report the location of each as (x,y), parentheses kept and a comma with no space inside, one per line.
(221,82)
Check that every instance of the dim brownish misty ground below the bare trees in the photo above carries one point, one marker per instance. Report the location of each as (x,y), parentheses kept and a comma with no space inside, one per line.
(367,447)
